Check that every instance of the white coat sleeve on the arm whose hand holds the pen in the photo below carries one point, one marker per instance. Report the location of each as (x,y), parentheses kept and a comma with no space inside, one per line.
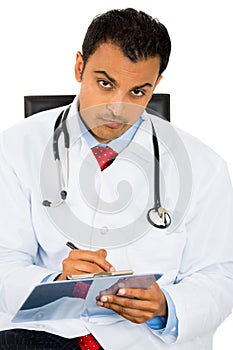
(18,243)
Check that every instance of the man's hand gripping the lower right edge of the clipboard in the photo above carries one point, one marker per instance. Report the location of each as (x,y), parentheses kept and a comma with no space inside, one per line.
(135,304)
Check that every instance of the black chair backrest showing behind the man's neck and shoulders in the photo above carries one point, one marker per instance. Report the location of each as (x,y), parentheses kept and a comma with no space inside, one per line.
(158,105)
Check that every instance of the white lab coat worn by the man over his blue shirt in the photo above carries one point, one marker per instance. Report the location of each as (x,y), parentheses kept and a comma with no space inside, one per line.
(195,255)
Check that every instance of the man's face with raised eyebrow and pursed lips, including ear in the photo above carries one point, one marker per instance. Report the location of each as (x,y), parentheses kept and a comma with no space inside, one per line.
(114,90)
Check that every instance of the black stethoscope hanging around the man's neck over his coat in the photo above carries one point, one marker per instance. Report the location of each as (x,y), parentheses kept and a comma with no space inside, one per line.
(157,216)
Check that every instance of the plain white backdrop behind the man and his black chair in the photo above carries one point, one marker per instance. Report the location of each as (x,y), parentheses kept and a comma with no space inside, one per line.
(39,40)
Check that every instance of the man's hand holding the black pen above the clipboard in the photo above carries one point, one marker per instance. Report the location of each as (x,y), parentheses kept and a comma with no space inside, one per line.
(85,261)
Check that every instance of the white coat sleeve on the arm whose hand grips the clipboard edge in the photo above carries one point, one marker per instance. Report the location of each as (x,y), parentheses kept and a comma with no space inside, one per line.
(203,291)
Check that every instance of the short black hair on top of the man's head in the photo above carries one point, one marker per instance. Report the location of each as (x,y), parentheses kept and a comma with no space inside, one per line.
(138,35)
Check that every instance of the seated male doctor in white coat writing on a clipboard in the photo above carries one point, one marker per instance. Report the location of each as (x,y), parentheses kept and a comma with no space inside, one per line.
(123,56)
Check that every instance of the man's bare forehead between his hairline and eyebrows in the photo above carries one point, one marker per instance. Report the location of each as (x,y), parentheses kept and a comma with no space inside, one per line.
(110,58)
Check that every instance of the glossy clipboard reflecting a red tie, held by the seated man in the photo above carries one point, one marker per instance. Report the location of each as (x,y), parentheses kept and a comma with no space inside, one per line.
(76,297)
